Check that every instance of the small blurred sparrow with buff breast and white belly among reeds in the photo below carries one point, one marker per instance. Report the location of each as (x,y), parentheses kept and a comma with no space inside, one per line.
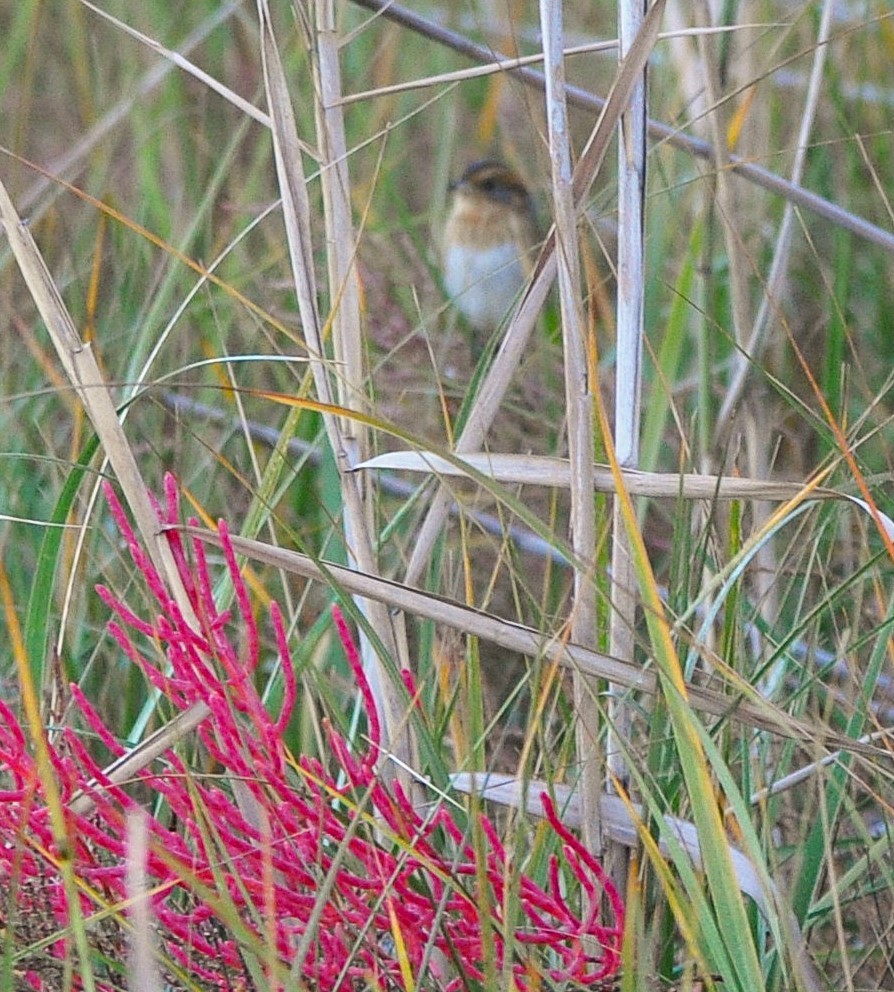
(490,243)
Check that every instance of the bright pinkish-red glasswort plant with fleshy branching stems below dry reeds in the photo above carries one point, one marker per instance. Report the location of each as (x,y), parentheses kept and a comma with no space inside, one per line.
(327,876)
